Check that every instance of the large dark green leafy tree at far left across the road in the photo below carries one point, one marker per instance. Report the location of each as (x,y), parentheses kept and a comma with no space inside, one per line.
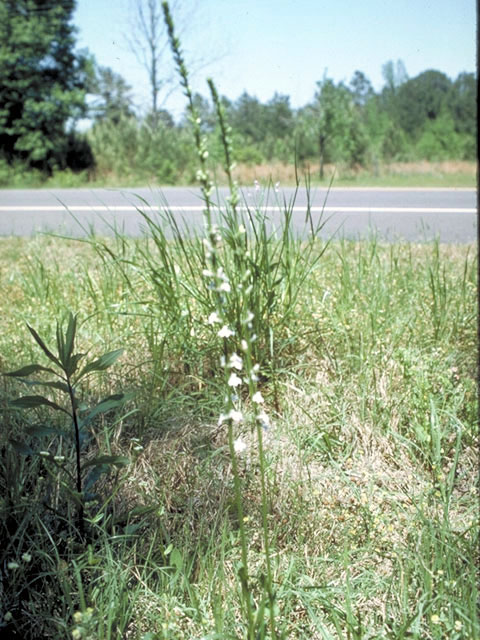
(42,82)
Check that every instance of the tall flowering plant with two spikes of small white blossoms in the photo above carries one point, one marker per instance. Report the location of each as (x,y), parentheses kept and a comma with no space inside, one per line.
(229,280)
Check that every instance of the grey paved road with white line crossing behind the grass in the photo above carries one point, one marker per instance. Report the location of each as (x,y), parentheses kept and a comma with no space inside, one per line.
(410,214)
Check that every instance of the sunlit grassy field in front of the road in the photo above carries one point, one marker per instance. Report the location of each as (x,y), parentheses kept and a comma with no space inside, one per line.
(295,454)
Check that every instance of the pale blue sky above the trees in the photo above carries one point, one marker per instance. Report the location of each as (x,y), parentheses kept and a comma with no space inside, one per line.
(287,46)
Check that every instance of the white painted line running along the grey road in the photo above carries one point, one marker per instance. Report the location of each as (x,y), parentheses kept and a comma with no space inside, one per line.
(197,208)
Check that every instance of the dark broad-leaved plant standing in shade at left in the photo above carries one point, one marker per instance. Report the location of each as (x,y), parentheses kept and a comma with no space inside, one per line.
(68,374)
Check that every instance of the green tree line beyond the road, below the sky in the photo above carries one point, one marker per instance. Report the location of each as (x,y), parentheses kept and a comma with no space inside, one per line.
(46,87)
